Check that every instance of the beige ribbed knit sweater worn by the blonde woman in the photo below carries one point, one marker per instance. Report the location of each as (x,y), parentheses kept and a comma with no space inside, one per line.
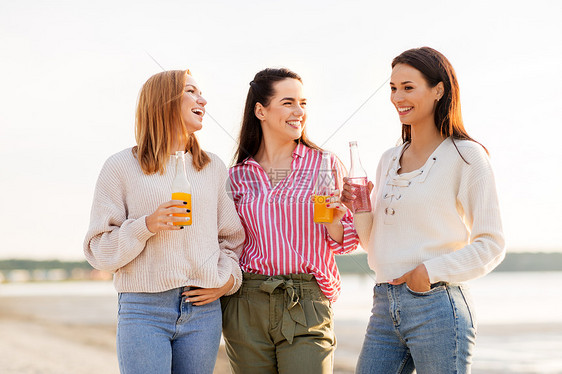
(204,254)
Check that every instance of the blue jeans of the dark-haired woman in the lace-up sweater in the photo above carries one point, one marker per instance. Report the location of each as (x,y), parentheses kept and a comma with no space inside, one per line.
(432,332)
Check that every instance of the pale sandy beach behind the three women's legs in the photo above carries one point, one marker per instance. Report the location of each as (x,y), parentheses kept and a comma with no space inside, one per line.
(76,334)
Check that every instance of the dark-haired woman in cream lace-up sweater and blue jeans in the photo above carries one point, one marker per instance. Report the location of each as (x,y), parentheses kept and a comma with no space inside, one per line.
(435,224)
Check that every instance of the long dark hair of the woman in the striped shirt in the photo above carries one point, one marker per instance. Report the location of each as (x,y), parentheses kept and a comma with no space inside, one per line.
(261,91)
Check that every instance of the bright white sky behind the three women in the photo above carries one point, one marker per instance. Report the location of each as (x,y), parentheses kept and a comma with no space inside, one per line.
(71,71)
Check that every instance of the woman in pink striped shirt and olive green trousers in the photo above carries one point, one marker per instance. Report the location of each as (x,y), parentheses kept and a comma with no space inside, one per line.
(281,319)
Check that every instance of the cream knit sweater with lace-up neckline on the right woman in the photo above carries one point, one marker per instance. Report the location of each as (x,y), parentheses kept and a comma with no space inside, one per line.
(445,215)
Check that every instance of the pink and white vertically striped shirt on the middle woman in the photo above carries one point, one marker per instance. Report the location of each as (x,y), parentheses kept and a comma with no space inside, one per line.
(281,236)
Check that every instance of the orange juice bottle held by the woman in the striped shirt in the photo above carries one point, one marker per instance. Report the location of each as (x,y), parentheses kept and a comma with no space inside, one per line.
(325,185)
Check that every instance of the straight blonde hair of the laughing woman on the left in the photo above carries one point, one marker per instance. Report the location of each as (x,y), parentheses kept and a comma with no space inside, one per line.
(159,121)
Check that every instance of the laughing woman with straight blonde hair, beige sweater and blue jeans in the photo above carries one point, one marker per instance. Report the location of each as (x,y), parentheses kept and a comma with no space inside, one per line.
(169,277)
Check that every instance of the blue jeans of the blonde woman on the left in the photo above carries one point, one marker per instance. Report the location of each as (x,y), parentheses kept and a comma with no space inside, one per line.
(161,333)
